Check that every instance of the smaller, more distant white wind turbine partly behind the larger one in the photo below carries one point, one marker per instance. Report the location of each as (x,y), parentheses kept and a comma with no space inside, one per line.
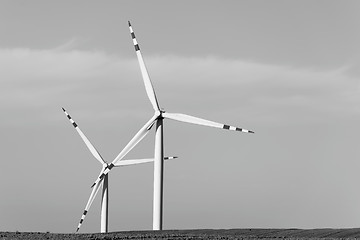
(105,190)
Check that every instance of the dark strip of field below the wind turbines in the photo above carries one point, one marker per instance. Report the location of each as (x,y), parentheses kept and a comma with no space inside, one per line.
(197,234)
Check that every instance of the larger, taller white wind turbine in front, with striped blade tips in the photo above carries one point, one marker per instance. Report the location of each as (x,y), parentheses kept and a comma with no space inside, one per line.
(159,115)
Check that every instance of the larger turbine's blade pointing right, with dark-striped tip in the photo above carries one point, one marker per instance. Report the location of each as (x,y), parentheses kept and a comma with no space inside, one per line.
(190,119)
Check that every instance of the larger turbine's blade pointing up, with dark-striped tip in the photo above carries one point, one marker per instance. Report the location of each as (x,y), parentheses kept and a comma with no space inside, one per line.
(148,85)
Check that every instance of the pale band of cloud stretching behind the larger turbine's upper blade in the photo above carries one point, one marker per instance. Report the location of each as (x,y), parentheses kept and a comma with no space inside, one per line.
(40,78)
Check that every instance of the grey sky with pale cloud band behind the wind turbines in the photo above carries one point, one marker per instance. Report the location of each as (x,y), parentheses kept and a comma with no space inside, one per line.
(288,70)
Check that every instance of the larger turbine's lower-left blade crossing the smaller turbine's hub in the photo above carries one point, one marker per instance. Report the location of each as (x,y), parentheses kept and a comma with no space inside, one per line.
(135,140)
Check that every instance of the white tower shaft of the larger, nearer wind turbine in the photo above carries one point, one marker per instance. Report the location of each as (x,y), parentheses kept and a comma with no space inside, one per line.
(158,176)
